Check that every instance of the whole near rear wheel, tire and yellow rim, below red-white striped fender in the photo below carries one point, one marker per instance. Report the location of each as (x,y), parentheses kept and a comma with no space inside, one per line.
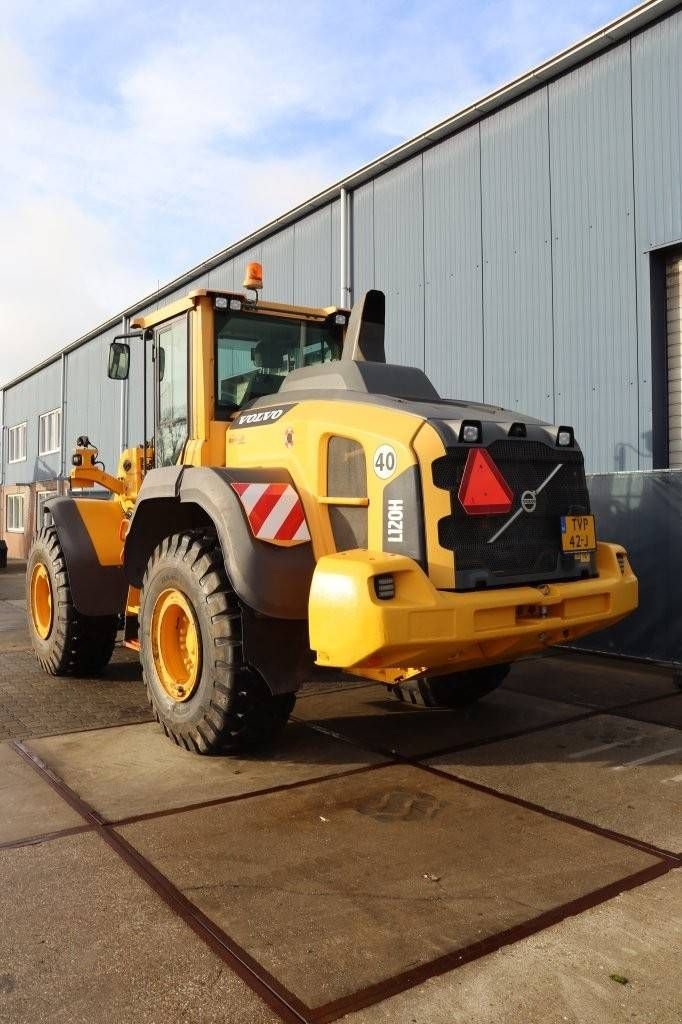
(201,691)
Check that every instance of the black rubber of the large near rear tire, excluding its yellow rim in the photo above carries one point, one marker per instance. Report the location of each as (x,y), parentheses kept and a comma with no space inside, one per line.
(232,708)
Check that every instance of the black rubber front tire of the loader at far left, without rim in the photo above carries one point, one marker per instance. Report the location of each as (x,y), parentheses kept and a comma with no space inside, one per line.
(77,645)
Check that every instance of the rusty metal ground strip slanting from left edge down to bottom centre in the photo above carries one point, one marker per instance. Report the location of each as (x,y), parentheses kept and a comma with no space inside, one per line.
(287,1006)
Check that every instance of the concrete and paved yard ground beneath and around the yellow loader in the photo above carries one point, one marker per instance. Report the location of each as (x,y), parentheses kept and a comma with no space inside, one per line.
(516,863)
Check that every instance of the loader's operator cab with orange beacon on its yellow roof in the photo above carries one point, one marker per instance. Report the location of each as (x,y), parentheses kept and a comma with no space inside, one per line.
(252,346)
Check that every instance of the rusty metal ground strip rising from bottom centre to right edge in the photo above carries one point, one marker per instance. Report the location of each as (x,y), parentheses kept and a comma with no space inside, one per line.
(450,962)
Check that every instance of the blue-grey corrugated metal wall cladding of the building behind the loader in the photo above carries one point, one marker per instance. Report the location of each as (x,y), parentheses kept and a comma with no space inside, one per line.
(515,258)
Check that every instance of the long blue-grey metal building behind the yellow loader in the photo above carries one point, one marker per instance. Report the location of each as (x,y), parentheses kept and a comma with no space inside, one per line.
(531,251)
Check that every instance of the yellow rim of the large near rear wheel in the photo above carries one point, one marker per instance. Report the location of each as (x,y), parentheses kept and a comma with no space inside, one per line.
(176,645)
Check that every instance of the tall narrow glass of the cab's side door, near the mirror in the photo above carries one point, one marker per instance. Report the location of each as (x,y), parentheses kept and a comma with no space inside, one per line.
(173,360)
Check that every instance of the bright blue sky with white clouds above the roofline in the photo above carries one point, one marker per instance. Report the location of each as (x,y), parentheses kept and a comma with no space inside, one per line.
(140,139)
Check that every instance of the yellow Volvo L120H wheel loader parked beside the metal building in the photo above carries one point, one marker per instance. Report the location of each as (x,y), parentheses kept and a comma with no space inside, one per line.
(302,505)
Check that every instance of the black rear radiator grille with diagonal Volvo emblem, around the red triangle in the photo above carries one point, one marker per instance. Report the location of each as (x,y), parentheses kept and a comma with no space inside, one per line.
(532,545)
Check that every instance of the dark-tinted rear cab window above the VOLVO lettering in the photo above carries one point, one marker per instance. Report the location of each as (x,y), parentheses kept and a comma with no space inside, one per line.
(255,354)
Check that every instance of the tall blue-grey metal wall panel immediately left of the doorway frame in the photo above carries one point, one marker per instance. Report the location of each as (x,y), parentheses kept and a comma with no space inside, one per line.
(595,344)
